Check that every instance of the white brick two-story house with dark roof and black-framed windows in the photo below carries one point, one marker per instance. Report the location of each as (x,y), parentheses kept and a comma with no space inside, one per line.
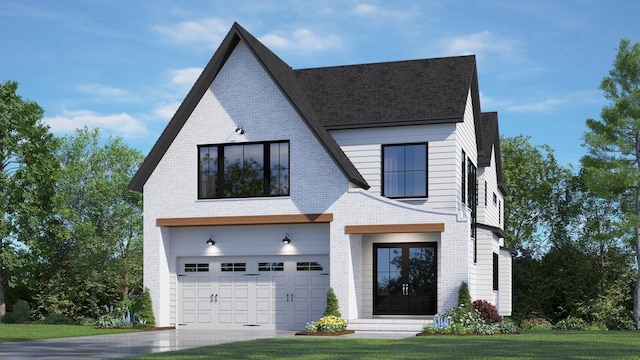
(269,185)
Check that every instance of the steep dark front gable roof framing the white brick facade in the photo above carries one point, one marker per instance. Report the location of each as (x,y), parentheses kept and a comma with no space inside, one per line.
(283,77)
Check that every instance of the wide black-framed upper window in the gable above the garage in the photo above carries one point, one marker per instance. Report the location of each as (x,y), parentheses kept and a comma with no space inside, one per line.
(243,170)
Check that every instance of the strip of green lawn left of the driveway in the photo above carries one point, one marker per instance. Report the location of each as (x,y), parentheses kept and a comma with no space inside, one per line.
(13,333)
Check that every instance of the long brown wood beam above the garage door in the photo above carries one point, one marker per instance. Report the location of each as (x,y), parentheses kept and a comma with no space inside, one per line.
(246,220)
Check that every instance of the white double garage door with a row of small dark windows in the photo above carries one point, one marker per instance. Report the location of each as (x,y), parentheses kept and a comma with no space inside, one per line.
(270,293)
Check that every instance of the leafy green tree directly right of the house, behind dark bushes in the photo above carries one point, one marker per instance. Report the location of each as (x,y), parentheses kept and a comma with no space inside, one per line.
(538,210)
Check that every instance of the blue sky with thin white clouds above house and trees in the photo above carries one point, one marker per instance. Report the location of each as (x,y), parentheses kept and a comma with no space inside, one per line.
(125,66)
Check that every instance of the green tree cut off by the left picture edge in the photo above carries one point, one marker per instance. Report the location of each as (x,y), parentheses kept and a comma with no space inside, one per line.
(26,163)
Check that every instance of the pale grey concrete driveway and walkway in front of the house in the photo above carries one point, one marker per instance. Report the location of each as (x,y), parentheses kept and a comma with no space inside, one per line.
(142,343)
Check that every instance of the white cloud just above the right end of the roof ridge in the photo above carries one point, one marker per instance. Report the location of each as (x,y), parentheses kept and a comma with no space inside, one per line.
(481,42)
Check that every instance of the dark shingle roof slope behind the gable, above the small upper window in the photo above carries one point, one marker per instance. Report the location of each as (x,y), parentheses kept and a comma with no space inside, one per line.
(391,93)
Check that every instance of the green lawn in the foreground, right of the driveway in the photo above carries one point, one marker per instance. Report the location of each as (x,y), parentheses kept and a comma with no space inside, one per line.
(529,345)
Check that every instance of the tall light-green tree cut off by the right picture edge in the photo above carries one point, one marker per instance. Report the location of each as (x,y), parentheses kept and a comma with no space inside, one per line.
(612,165)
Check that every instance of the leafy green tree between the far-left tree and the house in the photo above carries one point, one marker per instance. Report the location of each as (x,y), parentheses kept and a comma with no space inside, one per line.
(95,253)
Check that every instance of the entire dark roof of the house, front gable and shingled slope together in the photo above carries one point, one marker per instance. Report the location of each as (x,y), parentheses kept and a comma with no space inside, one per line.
(381,94)
